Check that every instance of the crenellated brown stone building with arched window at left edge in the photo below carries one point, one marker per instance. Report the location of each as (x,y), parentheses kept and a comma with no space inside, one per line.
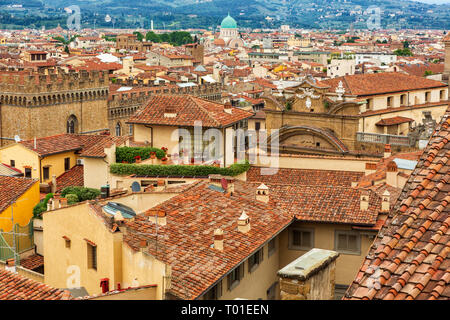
(39,105)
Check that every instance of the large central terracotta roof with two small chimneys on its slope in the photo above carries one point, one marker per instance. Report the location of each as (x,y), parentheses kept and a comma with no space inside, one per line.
(185,241)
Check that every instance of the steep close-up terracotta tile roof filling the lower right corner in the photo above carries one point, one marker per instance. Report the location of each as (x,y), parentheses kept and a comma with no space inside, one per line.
(410,258)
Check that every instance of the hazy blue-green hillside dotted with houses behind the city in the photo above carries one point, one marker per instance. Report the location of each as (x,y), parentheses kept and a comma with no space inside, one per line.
(178,14)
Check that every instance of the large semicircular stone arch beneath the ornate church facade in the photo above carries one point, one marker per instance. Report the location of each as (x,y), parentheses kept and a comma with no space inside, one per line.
(290,139)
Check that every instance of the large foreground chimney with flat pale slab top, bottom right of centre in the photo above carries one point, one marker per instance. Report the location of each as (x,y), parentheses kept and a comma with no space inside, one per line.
(310,277)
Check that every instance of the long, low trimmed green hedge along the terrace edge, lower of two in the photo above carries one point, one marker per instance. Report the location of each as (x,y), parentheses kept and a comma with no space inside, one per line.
(177,170)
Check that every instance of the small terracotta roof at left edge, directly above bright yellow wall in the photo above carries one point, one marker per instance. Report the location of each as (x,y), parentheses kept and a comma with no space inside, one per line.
(12,188)
